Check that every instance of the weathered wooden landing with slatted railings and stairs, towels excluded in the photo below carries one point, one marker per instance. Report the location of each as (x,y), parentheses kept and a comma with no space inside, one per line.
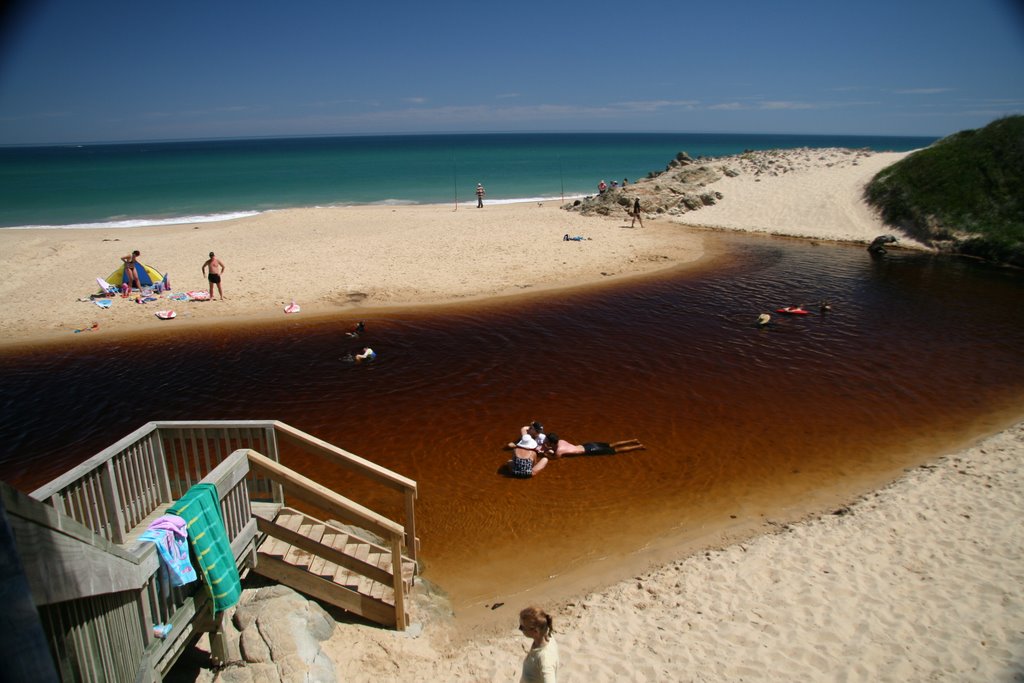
(94,584)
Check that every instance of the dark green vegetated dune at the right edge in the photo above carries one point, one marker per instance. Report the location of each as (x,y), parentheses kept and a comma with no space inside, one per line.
(965,193)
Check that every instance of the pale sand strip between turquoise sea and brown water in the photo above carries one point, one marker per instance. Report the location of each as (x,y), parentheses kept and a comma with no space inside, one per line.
(338,262)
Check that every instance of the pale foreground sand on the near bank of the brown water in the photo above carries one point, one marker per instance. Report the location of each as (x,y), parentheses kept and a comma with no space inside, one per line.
(921,581)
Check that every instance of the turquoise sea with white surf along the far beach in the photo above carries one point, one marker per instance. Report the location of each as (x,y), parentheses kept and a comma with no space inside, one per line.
(192,182)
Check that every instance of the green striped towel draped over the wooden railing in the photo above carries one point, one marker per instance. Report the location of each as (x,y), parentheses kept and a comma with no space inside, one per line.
(200,507)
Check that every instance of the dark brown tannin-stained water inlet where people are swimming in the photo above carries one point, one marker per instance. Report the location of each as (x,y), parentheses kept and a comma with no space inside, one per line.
(743,423)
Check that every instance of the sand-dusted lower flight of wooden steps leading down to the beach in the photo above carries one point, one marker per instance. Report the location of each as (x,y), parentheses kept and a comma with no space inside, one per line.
(327,563)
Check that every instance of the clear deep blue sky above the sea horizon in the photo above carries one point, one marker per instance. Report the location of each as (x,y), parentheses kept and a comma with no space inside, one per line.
(80,71)
